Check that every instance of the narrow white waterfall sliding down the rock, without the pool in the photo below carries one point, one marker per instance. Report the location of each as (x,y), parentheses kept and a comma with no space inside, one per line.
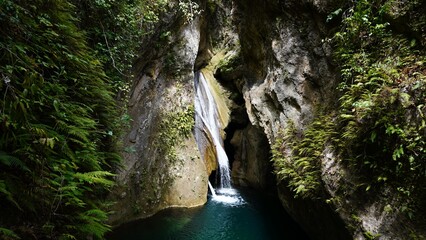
(208,127)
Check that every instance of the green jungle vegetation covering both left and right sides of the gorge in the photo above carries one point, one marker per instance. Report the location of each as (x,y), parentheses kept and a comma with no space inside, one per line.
(65,63)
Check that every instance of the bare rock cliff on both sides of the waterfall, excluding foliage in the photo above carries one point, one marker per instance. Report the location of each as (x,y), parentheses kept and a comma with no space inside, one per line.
(274,68)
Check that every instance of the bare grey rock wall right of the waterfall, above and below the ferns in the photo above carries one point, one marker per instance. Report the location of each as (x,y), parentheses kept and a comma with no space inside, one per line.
(287,74)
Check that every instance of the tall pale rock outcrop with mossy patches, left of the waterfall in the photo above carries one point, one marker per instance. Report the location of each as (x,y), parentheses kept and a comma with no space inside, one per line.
(162,166)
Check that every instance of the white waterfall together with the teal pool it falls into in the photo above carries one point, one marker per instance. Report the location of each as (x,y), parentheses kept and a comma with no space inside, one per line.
(227,215)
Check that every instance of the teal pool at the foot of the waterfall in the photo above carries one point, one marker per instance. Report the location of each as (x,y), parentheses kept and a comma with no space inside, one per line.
(239,214)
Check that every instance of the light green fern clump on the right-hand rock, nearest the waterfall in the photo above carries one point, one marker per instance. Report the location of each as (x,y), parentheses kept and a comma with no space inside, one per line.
(297,156)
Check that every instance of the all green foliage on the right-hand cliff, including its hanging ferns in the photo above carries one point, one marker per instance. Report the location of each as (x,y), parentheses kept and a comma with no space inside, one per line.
(379,129)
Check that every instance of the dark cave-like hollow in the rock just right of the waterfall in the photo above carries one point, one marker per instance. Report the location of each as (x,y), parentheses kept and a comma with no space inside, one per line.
(246,146)
